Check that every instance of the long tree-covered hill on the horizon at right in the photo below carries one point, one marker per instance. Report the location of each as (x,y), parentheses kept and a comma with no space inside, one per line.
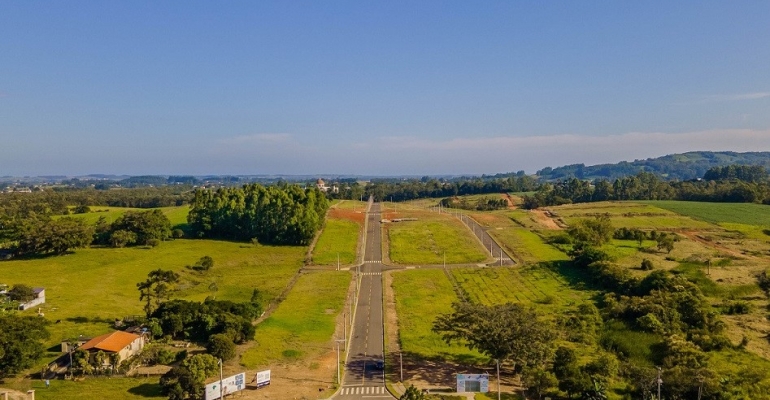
(683,166)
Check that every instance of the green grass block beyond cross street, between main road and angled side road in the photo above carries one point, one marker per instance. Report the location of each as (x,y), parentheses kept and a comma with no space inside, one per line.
(428,239)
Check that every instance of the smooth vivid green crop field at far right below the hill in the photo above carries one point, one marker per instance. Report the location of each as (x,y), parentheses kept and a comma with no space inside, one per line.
(740,213)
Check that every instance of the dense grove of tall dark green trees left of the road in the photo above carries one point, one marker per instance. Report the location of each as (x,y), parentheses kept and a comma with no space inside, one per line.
(280,214)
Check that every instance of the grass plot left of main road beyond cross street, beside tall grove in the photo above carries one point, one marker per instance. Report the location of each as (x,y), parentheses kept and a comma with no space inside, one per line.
(340,236)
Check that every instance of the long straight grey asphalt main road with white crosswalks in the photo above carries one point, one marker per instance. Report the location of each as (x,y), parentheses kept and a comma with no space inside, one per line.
(363,379)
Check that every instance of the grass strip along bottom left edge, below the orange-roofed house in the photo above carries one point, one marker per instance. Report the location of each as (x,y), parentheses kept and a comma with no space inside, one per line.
(92,388)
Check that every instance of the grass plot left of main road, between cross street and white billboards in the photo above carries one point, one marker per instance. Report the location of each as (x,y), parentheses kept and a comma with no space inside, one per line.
(303,324)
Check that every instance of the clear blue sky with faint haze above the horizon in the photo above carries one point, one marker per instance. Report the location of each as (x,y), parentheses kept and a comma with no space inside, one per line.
(385,88)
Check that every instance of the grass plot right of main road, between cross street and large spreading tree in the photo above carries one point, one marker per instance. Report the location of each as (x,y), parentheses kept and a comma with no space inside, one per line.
(421,295)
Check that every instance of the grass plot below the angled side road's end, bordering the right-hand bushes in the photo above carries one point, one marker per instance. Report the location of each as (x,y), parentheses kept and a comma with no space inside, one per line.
(533,285)
